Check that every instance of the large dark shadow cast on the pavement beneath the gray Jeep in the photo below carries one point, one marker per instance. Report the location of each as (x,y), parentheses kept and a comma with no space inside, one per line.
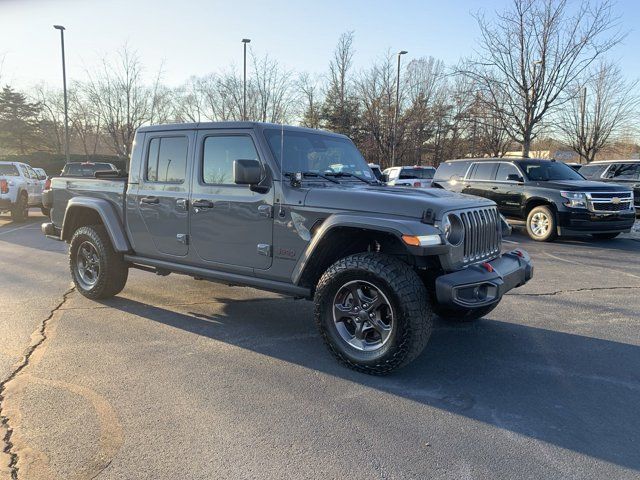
(576,392)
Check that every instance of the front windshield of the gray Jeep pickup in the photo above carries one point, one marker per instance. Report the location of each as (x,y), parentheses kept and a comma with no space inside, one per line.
(317,153)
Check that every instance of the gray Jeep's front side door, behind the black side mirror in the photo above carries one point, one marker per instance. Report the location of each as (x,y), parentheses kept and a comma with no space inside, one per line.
(230,224)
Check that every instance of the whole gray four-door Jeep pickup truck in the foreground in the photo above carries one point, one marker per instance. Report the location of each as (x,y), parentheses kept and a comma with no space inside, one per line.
(295,211)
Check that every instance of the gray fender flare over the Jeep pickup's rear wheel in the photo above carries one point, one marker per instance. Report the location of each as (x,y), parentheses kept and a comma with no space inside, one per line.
(109,216)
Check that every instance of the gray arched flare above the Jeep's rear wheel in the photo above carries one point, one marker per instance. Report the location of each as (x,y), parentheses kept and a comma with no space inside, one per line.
(81,212)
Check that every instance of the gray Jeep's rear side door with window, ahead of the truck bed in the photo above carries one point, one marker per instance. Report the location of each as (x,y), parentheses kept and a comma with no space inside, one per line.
(161,196)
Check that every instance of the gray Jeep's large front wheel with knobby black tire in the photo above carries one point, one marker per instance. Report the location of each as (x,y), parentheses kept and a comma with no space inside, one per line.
(373,312)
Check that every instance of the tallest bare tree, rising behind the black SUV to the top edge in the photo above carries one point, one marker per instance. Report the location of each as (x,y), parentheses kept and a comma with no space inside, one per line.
(533,52)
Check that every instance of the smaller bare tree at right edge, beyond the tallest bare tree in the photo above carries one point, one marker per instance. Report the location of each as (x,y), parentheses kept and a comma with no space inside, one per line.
(602,107)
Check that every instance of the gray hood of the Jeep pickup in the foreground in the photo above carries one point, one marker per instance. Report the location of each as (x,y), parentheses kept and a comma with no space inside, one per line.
(407,202)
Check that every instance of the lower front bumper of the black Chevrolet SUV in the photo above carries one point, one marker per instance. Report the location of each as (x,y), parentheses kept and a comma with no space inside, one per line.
(585,222)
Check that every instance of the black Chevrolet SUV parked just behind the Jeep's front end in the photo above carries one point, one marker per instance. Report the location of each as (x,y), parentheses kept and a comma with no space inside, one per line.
(550,196)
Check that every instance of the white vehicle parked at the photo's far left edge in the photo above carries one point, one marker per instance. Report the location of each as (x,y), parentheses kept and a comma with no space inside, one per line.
(20,189)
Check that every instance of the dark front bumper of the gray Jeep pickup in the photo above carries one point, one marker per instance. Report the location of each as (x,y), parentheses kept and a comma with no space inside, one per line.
(483,284)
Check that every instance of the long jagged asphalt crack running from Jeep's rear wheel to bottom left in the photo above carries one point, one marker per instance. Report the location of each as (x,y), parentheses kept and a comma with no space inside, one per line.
(41,333)
